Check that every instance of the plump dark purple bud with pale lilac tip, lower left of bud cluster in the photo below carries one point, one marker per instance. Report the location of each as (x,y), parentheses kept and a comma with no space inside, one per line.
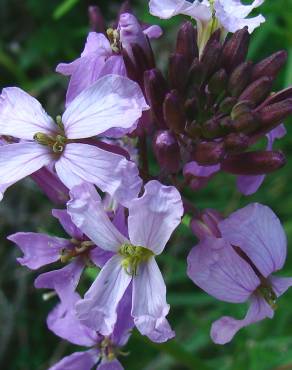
(166,150)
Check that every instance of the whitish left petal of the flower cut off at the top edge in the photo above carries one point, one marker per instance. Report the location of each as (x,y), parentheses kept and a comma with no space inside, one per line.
(169,8)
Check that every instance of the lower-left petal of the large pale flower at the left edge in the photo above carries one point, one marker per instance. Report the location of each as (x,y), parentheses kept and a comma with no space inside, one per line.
(20,160)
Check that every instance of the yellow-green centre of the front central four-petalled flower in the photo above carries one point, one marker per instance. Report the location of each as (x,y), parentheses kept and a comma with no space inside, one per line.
(133,256)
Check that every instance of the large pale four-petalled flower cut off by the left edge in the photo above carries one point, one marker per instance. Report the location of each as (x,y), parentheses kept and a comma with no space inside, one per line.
(113,101)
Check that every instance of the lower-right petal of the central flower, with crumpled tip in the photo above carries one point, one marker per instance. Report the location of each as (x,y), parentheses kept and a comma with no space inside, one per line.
(149,303)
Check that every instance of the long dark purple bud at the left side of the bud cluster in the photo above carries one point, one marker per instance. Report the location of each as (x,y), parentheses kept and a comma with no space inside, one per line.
(156,90)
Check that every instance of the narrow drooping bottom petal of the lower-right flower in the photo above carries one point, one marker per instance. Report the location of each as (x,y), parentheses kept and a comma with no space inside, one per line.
(224,329)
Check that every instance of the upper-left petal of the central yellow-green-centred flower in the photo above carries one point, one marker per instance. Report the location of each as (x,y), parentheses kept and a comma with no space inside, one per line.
(87,212)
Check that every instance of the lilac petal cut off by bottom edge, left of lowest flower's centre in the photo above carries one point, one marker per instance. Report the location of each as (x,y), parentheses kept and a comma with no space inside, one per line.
(78,361)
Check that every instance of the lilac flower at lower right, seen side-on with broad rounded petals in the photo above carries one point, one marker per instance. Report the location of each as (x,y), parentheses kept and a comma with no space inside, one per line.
(239,266)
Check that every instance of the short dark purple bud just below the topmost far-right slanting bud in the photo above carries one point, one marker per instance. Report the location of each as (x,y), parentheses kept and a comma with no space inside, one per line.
(256,92)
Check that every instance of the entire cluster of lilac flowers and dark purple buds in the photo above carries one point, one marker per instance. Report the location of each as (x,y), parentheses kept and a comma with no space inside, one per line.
(119,214)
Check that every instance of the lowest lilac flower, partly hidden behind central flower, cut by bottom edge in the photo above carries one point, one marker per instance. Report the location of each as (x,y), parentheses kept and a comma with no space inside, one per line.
(103,351)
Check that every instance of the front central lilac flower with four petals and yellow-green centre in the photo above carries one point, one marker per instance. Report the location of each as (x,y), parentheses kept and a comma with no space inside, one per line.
(152,219)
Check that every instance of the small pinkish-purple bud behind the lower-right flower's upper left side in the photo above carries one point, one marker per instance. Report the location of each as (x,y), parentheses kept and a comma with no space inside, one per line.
(206,224)
